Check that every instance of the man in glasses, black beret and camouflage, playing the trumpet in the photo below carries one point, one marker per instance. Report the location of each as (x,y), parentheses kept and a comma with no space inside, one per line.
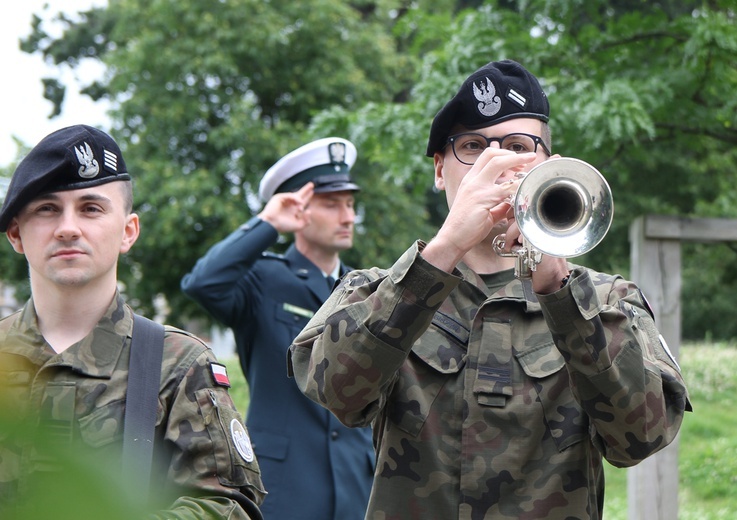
(491,396)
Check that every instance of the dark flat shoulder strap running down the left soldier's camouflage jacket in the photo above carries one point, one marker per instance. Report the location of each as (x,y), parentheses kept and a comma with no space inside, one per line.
(141,403)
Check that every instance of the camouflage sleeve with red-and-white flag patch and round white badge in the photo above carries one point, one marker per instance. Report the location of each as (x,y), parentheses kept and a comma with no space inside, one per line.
(211,464)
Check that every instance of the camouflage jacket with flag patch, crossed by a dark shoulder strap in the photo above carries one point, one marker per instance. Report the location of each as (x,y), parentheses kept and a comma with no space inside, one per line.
(78,396)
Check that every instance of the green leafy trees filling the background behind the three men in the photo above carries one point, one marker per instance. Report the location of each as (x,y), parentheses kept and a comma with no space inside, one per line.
(208,94)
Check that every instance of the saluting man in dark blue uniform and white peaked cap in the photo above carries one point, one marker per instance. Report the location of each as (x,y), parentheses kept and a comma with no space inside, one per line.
(314,467)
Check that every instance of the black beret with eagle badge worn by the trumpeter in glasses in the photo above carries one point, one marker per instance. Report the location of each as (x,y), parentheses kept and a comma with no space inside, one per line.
(498,91)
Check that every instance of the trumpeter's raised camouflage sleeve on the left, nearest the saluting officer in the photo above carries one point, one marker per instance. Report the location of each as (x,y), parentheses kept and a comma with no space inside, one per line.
(348,355)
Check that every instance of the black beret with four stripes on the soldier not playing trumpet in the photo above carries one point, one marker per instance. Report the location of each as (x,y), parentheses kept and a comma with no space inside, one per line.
(72,158)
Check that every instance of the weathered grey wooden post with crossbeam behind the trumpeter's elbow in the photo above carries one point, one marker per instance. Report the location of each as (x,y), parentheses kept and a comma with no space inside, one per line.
(652,485)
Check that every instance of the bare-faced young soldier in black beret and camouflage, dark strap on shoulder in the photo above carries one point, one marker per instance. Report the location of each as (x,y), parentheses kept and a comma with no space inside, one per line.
(64,357)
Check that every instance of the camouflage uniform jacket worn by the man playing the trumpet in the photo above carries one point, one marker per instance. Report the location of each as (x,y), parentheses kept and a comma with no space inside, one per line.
(491,406)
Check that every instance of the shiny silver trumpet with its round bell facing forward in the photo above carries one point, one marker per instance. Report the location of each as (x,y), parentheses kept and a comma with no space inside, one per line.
(563,208)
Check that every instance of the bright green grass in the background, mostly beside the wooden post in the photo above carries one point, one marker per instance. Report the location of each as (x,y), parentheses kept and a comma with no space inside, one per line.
(707,462)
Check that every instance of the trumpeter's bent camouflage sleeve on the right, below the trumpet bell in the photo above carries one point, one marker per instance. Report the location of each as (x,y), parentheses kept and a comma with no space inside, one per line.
(622,372)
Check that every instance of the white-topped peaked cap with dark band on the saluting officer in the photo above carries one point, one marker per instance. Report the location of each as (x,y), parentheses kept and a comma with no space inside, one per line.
(326,163)
